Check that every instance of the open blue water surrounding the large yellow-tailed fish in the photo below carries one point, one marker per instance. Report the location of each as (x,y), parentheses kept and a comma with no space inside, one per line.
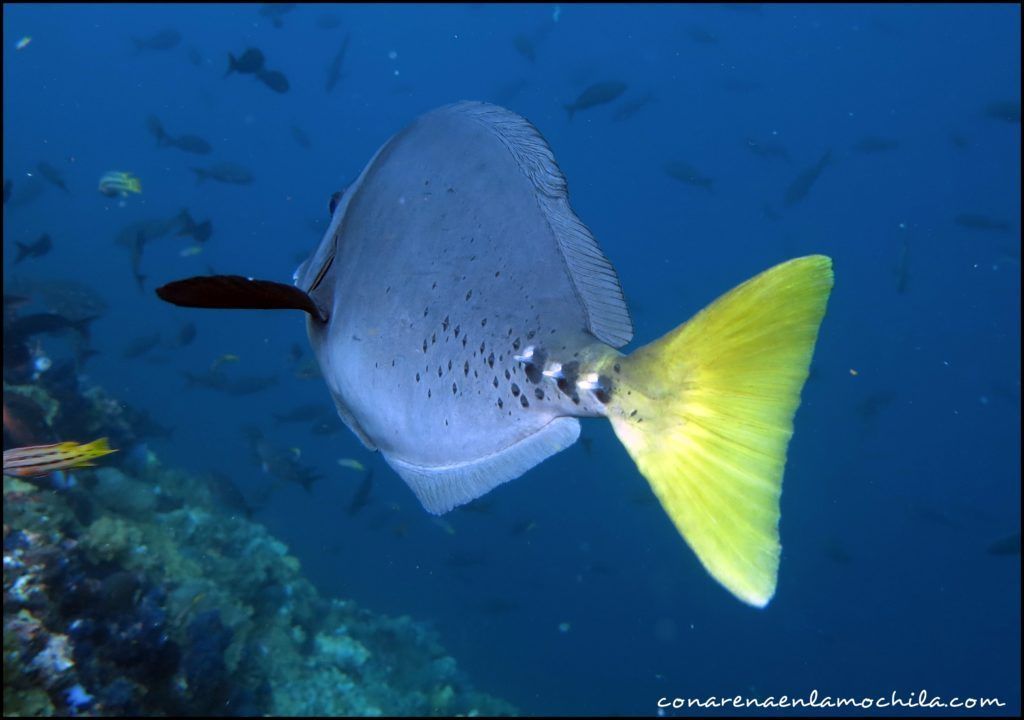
(906,463)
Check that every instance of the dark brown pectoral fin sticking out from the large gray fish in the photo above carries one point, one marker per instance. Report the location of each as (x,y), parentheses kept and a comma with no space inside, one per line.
(239,293)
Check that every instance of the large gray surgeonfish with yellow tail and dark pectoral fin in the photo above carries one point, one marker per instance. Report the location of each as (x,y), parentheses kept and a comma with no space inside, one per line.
(465,319)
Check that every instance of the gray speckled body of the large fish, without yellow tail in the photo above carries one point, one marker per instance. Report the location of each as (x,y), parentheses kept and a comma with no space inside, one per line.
(454,252)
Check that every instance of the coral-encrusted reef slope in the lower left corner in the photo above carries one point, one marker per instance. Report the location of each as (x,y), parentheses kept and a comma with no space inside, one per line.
(133,588)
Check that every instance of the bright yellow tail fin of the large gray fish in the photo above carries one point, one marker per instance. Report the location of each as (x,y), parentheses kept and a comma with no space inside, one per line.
(707,411)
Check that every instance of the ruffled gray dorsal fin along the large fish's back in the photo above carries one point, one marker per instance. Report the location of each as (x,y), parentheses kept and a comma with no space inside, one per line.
(593,278)
